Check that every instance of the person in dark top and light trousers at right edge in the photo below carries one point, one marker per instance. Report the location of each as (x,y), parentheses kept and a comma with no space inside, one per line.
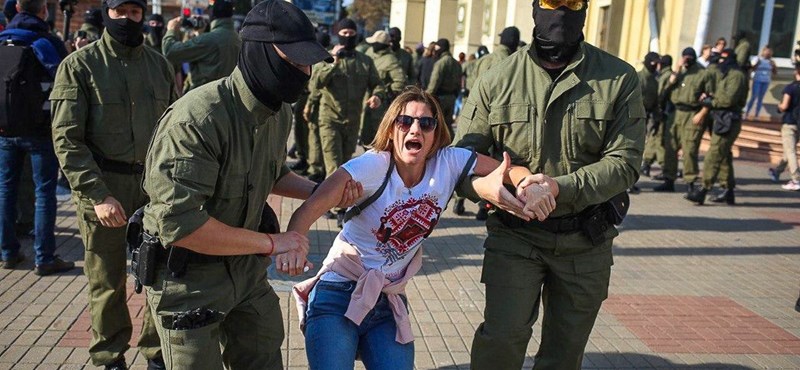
(790,106)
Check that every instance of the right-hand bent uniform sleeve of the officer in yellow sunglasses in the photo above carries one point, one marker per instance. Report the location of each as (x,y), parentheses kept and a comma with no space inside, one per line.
(617,169)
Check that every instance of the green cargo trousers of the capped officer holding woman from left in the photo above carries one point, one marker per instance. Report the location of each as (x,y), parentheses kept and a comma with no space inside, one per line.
(249,333)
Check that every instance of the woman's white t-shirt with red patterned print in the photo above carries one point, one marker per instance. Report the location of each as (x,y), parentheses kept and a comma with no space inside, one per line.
(390,230)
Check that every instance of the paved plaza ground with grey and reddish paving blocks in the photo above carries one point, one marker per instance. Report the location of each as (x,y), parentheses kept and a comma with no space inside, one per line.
(692,287)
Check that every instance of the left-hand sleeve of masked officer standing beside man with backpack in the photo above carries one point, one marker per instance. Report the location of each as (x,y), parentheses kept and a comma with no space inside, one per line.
(70,114)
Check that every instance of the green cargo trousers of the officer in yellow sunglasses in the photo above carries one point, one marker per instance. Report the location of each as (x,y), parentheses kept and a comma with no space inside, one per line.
(521,268)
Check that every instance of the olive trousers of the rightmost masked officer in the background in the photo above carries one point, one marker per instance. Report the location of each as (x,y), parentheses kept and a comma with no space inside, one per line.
(718,163)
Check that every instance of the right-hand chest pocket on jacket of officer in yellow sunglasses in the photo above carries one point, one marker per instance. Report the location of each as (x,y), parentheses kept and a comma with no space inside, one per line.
(588,126)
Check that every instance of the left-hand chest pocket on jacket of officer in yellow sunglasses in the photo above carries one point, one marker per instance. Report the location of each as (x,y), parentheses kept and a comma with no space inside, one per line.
(512,130)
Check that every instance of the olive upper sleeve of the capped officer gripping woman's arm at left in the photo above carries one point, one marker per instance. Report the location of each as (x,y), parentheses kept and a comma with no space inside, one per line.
(181,175)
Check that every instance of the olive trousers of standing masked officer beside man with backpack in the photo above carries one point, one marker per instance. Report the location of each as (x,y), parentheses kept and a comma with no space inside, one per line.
(106,256)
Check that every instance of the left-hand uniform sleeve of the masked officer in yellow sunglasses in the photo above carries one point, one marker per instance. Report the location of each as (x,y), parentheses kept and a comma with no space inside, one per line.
(473,131)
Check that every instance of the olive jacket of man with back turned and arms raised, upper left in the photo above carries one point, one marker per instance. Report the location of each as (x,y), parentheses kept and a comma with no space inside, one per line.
(211,55)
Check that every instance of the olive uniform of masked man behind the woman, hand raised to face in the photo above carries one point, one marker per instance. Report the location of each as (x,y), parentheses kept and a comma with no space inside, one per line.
(342,86)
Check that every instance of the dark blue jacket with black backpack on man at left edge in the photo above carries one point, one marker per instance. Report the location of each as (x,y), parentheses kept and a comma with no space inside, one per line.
(28,64)
